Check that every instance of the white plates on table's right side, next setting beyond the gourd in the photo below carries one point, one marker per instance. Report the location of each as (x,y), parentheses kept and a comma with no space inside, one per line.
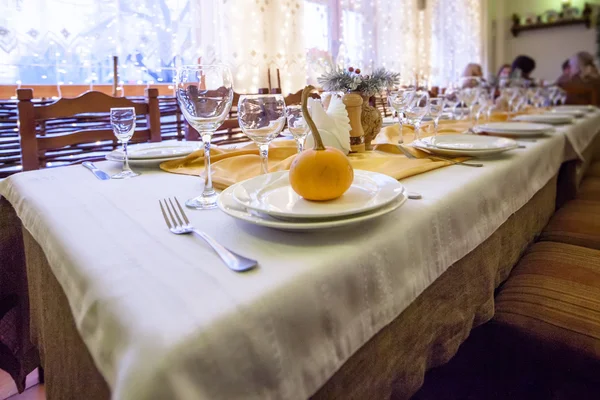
(465,145)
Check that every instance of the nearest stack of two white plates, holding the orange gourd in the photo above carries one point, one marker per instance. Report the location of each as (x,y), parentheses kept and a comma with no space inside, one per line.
(269,200)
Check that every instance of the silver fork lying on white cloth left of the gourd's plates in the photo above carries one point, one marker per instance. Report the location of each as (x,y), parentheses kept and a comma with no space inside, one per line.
(180,225)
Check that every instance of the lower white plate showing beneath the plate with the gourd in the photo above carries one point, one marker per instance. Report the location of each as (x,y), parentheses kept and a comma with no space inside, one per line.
(230,206)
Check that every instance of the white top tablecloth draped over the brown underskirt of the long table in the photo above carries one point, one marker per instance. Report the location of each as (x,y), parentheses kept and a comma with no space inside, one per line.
(164,319)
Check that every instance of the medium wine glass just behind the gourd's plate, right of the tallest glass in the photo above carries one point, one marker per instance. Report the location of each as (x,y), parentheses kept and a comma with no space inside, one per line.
(262,117)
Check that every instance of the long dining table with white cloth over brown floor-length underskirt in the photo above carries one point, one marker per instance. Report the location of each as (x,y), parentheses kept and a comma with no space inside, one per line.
(121,307)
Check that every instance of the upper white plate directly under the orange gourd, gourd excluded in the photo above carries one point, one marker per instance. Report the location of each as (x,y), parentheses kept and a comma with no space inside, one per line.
(273,195)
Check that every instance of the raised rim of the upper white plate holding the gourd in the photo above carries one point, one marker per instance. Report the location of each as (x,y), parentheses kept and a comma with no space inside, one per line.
(318,216)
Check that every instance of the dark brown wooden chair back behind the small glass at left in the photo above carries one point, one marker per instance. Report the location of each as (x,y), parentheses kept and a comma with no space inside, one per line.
(37,139)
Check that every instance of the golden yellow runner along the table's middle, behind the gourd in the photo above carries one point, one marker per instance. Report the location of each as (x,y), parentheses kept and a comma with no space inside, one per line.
(234,165)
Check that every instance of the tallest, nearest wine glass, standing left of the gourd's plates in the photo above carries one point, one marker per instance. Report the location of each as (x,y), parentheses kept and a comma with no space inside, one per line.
(205,94)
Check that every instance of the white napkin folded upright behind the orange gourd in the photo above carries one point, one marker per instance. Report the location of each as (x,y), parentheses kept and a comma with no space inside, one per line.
(333,125)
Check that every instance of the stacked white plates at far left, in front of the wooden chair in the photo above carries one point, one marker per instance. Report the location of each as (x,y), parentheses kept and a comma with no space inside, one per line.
(148,154)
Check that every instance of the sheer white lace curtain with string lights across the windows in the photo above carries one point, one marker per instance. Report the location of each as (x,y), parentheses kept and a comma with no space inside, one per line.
(73,41)
